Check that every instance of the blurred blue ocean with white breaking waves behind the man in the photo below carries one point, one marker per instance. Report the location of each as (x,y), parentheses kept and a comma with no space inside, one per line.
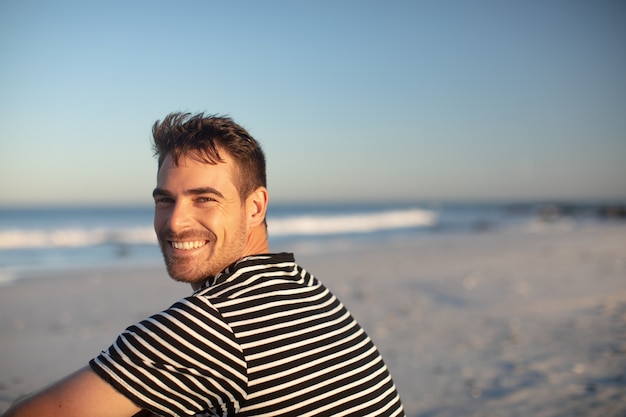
(34,239)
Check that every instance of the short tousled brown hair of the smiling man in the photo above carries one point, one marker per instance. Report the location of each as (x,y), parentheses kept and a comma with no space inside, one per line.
(182,134)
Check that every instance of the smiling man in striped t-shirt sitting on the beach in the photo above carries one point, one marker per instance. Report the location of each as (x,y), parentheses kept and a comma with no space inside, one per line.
(258,336)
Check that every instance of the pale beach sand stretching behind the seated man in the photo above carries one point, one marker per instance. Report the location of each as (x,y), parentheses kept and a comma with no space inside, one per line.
(497,323)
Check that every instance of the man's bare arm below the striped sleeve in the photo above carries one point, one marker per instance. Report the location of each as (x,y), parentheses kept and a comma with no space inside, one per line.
(80,394)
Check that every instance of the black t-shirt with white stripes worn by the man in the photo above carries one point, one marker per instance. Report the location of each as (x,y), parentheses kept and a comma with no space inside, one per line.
(263,338)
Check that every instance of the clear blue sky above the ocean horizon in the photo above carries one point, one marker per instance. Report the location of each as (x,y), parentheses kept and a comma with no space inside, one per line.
(374,100)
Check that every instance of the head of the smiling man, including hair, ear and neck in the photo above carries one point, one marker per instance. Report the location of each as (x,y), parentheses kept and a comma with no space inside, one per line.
(210,199)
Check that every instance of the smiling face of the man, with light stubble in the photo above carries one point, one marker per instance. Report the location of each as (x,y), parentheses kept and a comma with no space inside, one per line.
(199,218)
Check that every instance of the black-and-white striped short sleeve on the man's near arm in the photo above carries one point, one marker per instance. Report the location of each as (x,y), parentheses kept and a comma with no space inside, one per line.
(184,361)
